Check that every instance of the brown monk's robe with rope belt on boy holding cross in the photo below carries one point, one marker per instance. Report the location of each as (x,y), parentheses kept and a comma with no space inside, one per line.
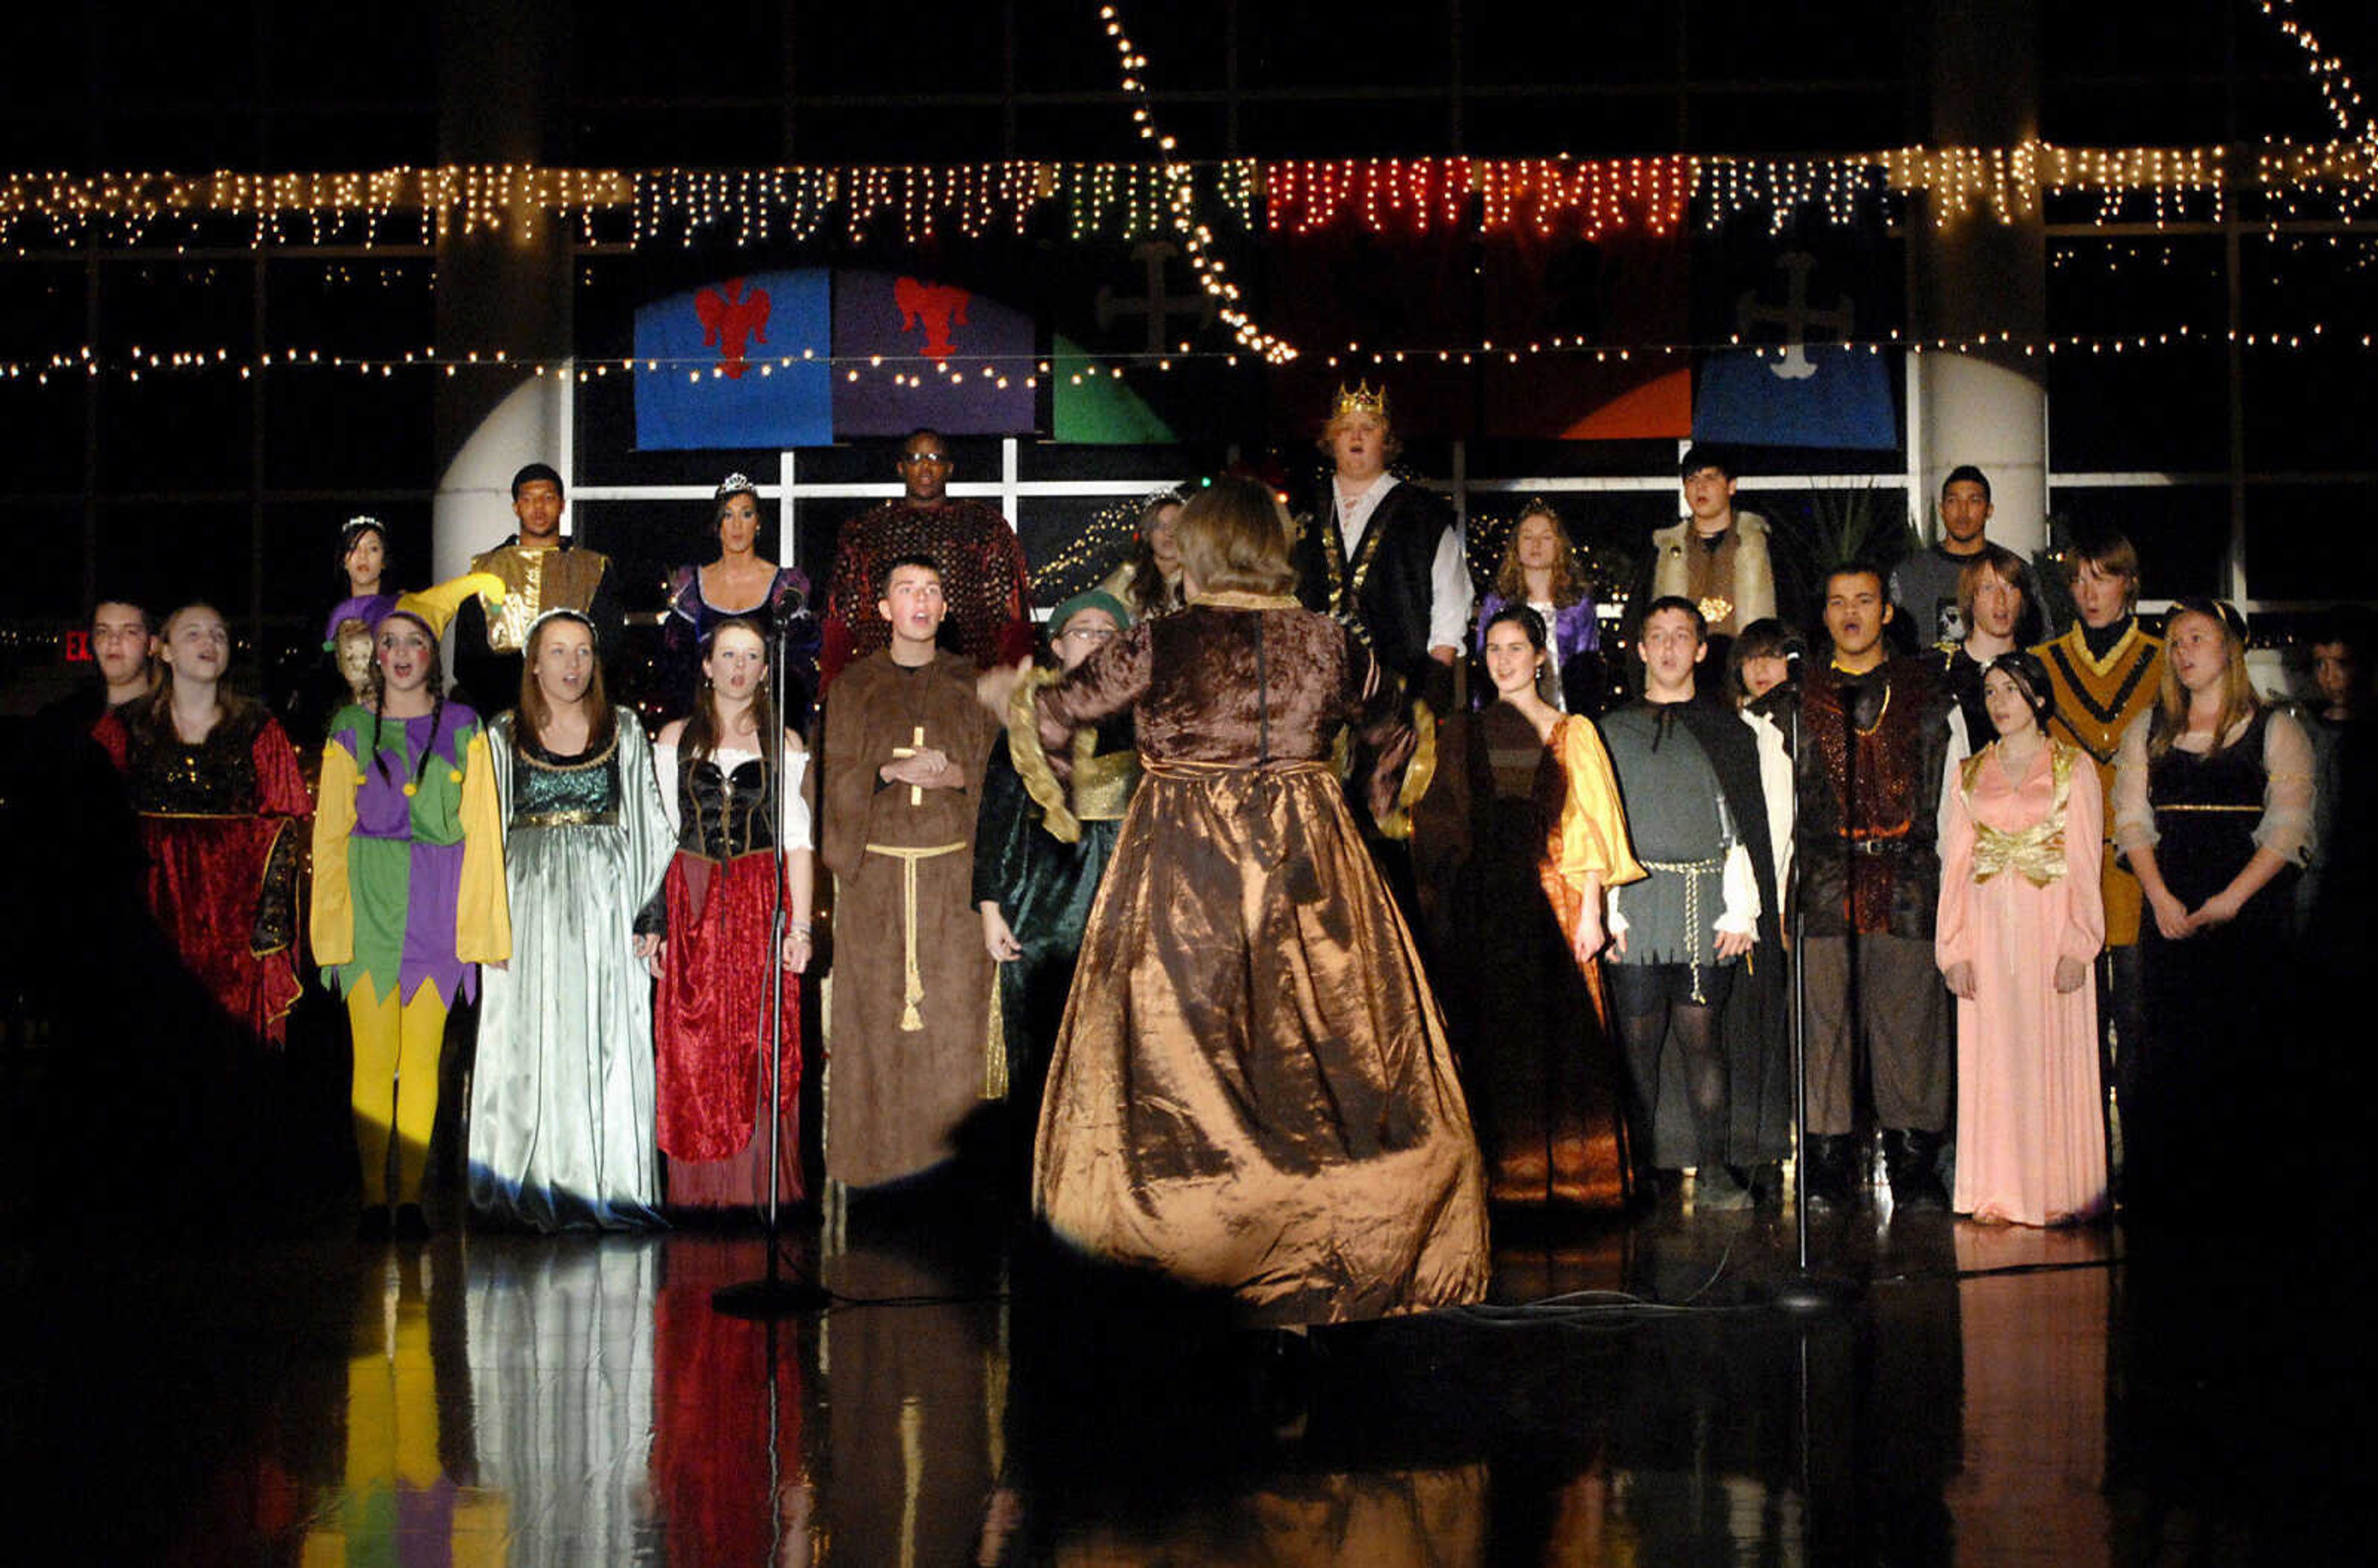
(910,1017)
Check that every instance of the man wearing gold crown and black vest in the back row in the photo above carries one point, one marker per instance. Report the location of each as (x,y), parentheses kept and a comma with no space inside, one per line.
(1383,556)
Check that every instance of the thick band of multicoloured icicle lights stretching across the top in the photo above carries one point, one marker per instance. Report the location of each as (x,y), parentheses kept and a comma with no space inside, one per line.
(1174,199)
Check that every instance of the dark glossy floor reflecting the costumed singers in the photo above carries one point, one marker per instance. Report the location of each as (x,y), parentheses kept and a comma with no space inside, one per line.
(1987,1398)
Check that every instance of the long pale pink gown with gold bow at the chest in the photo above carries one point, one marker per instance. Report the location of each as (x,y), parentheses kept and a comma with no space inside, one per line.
(2018,893)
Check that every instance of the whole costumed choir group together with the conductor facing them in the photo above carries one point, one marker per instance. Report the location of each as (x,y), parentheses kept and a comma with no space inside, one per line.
(1200,886)
